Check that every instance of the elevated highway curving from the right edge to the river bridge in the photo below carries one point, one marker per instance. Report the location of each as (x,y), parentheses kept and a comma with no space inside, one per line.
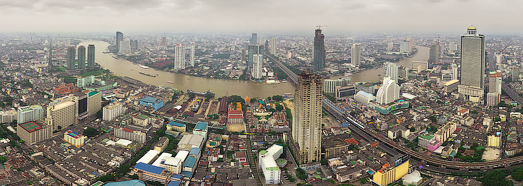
(359,128)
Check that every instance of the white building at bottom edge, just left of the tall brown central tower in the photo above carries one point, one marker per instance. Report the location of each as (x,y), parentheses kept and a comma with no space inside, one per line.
(267,162)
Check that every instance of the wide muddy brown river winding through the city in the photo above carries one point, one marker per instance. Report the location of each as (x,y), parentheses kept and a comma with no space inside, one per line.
(121,67)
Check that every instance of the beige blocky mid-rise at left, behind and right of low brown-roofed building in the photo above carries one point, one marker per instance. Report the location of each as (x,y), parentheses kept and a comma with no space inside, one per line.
(61,114)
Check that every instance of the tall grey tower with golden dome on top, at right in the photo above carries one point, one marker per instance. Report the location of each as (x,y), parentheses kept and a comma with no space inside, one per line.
(472,65)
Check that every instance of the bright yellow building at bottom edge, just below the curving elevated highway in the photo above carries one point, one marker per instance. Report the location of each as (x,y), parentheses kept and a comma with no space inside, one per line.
(388,174)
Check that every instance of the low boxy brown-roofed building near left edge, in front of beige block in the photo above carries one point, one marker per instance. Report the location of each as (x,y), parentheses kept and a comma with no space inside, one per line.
(34,131)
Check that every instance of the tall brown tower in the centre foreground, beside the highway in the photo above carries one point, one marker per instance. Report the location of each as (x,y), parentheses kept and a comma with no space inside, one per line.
(306,130)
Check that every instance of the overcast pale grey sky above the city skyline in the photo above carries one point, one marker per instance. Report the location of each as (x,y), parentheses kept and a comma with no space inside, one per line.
(180,16)
